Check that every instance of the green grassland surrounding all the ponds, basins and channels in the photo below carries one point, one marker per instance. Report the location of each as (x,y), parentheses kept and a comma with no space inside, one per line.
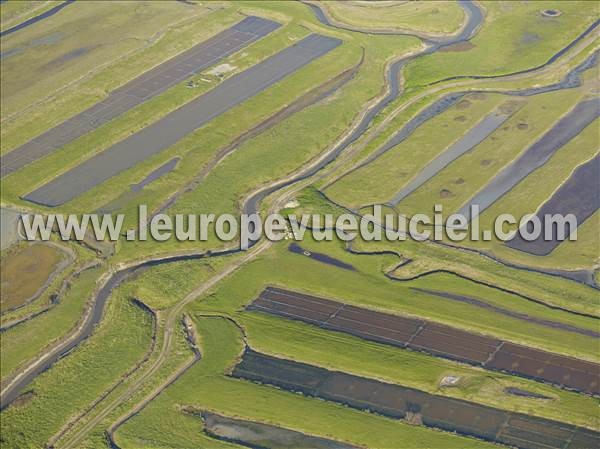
(126,371)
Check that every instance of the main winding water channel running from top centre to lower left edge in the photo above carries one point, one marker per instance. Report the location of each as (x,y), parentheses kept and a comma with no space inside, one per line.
(98,302)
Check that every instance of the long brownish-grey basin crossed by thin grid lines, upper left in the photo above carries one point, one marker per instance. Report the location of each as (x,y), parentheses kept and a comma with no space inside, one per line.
(140,89)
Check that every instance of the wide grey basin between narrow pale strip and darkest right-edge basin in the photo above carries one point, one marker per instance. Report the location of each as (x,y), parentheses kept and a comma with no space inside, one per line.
(535,156)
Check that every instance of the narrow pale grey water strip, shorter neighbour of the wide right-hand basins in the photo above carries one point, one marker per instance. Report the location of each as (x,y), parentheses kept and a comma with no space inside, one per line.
(471,139)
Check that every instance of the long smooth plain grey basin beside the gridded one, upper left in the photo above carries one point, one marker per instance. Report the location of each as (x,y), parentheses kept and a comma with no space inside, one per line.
(174,126)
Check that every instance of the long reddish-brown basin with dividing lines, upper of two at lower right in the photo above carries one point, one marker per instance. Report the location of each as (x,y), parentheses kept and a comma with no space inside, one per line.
(431,338)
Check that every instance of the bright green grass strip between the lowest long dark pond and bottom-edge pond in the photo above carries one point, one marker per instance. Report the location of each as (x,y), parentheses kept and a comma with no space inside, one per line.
(205,387)
